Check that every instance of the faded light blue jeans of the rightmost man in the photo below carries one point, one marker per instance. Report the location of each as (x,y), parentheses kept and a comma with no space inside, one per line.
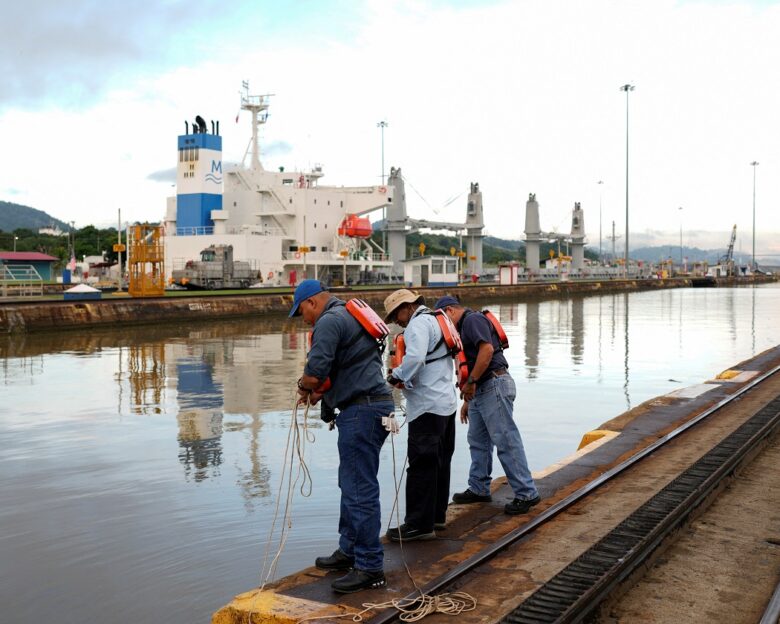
(491,424)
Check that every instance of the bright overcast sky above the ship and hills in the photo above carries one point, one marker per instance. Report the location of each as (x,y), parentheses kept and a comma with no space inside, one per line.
(519,96)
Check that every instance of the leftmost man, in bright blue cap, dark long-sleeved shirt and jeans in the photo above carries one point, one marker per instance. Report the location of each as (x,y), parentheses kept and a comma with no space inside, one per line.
(342,351)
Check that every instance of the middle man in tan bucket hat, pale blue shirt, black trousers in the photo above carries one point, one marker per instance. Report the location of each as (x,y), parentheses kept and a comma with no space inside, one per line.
(426,375)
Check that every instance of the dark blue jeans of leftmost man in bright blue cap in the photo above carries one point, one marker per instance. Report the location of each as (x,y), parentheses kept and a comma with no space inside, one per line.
(361,436)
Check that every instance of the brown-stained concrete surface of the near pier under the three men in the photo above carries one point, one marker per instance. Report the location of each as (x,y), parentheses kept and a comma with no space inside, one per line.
(514,574)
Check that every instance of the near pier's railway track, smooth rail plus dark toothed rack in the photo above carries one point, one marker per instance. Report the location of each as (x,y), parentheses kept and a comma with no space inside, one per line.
(577,590)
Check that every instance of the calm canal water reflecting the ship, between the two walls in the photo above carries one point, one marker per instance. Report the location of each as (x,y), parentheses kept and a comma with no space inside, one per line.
(140,467)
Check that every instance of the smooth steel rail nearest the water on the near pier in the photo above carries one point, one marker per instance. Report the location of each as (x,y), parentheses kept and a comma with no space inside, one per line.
(448,578)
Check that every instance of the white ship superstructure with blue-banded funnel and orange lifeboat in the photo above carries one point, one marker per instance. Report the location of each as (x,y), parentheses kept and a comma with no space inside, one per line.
(284,223)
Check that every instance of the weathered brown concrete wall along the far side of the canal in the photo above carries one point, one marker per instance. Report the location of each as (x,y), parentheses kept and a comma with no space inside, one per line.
(32,315)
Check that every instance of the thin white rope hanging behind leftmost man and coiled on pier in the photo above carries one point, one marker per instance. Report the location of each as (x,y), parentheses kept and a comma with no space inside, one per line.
(411,609)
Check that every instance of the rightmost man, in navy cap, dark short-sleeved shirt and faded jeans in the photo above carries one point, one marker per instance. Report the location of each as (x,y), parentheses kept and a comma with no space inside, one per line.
(489,396)
